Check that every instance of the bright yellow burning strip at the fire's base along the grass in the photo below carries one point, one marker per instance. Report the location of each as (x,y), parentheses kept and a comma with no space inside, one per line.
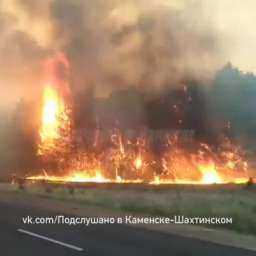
(207,173)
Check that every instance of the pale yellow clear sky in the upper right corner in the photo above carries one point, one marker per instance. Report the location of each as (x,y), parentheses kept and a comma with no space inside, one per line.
(234,22)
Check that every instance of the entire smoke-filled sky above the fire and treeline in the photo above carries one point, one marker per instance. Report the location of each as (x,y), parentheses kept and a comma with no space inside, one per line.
(118,43)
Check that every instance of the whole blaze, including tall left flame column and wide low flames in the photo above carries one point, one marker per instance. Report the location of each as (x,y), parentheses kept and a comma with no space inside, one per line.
(127,160)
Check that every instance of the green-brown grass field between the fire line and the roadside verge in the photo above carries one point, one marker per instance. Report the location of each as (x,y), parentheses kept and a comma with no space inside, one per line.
(237,202)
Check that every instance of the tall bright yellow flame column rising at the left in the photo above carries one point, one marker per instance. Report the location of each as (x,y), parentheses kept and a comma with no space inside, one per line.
(55,126)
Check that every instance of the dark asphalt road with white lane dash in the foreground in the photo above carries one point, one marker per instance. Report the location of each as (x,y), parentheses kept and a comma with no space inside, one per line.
(97,240)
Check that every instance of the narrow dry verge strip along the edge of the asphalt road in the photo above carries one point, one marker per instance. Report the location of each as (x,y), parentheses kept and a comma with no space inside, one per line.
(53,204)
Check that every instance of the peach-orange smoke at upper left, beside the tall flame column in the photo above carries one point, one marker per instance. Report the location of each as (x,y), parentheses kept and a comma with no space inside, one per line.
(20,54)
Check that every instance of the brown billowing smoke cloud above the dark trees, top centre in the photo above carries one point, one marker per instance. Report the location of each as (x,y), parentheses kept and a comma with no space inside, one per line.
(113,44)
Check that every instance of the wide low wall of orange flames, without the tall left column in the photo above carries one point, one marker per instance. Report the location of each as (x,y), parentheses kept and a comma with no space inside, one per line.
(121,163)
